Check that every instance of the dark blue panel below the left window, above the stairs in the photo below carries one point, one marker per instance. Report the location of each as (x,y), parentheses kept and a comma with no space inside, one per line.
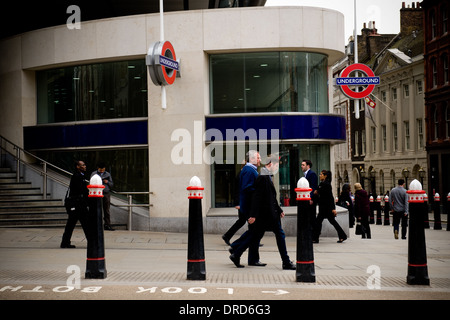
(85,135)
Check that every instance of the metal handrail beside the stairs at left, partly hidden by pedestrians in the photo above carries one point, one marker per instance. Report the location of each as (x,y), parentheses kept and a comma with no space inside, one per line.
(44,172)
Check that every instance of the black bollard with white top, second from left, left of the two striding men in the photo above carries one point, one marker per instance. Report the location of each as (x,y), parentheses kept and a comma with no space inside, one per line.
(196,269)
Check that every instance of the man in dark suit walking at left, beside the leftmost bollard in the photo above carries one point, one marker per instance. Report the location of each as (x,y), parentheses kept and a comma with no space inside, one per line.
(78,209)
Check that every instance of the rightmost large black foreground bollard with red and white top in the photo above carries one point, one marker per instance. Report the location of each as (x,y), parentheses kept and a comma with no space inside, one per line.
(417,253)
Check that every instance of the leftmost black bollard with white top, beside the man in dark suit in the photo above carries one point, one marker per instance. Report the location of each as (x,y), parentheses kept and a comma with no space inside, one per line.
(95,262)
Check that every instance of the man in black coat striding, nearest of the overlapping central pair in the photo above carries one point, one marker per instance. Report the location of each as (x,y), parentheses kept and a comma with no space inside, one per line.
(266,214)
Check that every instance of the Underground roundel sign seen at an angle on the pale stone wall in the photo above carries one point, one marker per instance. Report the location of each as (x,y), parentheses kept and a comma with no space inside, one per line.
(162,63)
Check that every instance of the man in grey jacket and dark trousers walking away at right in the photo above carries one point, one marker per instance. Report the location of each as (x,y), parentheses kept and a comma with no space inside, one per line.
(399,204)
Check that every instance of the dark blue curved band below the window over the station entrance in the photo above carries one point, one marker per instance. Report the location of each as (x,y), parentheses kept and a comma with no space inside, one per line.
(290,126)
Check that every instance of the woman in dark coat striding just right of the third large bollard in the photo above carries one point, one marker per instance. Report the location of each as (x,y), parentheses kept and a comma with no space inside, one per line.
(327,208)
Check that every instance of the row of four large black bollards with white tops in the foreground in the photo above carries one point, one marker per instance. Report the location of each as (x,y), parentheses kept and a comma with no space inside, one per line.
(305,271)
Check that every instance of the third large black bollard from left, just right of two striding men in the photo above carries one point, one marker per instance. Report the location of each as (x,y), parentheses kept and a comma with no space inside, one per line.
(305,254)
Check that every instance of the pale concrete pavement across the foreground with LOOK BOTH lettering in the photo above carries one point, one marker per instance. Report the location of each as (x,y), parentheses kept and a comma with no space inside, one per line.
(152,265)
